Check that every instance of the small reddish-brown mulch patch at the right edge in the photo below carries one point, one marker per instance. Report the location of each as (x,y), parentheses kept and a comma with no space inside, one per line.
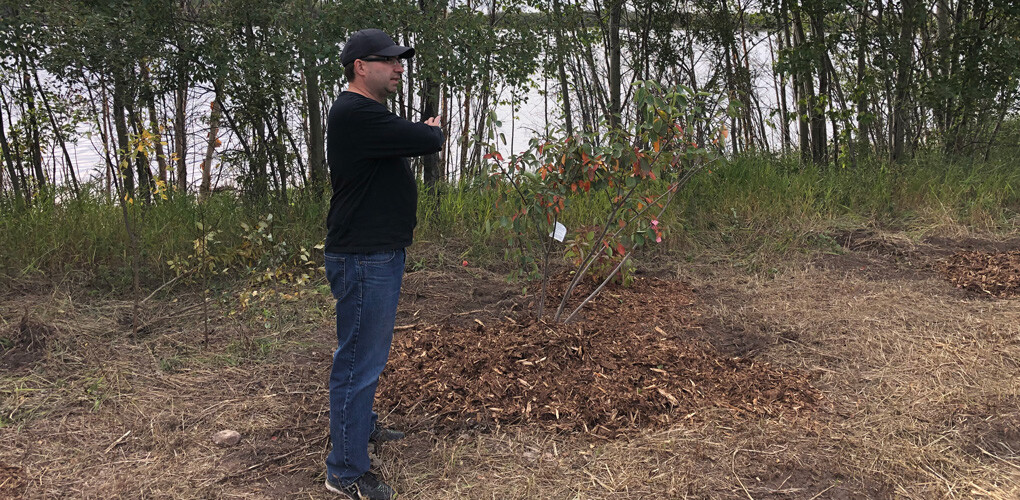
(994,274)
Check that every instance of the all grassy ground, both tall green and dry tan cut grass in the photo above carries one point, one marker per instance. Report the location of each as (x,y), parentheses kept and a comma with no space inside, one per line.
(834,274)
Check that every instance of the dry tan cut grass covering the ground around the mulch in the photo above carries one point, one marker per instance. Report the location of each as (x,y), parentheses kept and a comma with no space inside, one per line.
(922,381)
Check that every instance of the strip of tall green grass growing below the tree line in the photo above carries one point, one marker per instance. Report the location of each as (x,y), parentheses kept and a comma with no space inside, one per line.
(755,203)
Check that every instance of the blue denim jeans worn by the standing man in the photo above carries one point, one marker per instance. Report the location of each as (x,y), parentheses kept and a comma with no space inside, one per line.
(367,287)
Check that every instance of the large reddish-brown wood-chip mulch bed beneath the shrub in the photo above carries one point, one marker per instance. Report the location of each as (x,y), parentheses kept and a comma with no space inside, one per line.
(633,364)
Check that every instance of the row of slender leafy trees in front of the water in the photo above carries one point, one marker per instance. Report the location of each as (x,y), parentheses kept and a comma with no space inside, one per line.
(846,81)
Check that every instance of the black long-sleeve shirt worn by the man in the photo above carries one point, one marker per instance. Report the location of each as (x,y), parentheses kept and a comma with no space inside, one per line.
(375,196)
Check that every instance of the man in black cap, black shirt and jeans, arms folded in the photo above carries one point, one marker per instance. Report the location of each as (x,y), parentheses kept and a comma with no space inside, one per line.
(372,221)
